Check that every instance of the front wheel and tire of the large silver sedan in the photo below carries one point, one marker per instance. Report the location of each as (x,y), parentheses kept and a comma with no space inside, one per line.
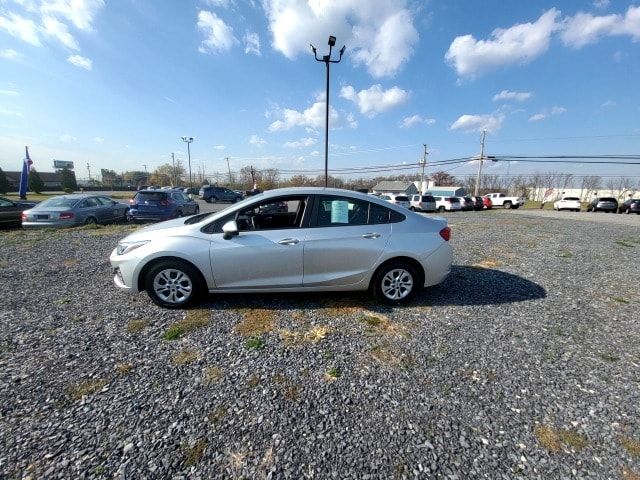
(173,284)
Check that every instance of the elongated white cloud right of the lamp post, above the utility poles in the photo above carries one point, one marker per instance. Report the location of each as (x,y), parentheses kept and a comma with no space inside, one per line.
(520,43)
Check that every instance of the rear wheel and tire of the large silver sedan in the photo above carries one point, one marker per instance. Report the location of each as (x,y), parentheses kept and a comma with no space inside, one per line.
(395,283)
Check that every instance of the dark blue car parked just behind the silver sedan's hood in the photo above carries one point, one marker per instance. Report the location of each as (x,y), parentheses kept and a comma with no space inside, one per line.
(161,205)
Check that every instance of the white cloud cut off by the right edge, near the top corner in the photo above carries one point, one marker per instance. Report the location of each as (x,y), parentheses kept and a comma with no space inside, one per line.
(584,28)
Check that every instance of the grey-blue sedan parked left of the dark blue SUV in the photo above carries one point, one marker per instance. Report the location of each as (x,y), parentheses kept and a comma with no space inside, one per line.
(74,210)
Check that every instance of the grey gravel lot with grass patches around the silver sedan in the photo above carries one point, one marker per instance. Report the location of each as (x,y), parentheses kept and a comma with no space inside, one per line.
(525,362)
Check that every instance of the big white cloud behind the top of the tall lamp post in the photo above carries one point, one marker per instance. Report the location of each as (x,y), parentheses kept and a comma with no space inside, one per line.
(380,33)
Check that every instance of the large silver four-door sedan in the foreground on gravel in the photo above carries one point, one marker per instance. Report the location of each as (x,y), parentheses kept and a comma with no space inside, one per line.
(327,240)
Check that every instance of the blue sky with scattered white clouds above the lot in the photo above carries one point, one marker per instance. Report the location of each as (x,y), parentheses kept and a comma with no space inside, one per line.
(116,84)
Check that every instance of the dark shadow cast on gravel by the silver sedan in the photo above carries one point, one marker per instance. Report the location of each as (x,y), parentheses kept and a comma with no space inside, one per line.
(464,286)
